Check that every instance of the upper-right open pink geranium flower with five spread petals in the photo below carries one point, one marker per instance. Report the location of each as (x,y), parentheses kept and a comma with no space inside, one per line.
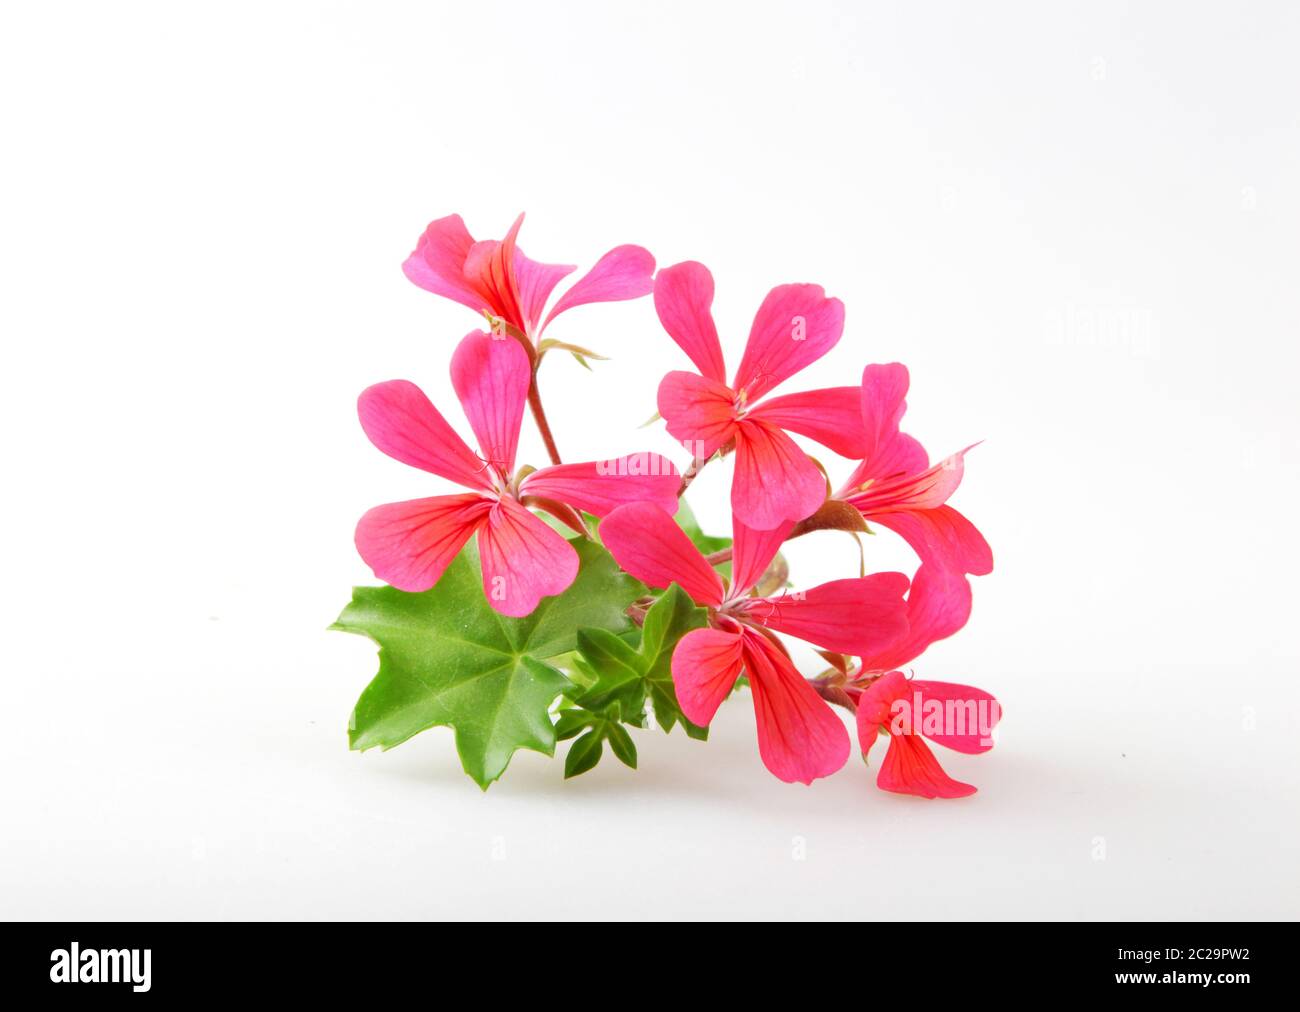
(798,325)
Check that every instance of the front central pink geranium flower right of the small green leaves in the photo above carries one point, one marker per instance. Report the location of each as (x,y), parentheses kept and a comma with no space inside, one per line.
(800,738)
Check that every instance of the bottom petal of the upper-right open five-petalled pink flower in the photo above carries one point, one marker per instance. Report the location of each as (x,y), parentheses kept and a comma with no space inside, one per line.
(775,481)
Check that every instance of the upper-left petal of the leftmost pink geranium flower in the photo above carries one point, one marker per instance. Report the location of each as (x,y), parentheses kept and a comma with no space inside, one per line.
(401,421)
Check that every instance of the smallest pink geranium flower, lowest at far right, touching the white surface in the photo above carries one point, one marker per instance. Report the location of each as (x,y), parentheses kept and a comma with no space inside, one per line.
(959,717)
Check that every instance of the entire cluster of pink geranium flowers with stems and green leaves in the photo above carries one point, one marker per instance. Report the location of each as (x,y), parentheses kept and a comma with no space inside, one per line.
(526,529)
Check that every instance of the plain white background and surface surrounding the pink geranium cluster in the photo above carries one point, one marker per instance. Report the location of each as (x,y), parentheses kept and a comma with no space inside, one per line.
(1078,224)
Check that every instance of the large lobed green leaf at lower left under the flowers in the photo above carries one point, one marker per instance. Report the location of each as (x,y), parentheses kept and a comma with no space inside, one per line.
(447,659)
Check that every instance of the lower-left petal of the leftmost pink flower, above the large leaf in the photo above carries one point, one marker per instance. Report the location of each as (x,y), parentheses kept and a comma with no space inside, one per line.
(410,544)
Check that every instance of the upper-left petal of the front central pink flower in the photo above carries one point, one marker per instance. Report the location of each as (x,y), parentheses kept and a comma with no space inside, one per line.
(648,544)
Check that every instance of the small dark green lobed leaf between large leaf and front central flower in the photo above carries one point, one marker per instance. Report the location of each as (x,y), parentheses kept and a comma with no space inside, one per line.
(618,674)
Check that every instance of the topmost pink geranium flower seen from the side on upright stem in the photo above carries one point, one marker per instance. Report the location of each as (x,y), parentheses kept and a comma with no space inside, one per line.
(496,279)
